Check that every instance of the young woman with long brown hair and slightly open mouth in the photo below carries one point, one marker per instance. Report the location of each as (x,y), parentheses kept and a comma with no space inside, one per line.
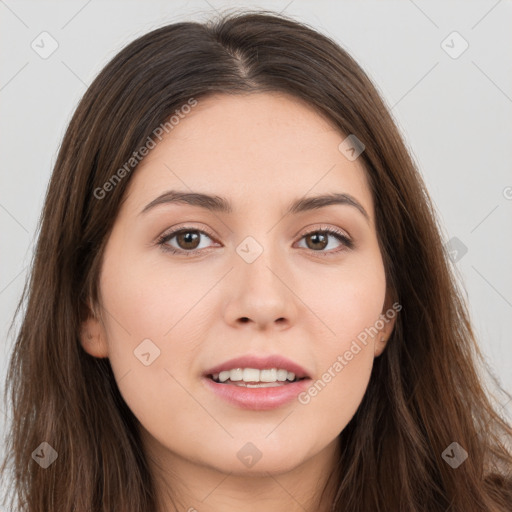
(240,297)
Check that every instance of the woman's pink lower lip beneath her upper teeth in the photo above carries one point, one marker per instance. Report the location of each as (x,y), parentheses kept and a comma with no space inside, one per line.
(258,399)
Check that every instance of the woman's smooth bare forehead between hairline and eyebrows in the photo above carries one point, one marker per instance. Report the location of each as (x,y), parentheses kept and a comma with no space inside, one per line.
(252,148)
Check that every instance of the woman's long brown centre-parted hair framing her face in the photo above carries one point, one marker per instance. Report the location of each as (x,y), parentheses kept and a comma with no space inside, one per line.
(425,391)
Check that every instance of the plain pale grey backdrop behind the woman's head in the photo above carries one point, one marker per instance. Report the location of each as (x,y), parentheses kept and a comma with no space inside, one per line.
(450,94)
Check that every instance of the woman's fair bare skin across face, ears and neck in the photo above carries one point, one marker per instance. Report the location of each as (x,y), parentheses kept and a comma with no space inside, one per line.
(260,151)
